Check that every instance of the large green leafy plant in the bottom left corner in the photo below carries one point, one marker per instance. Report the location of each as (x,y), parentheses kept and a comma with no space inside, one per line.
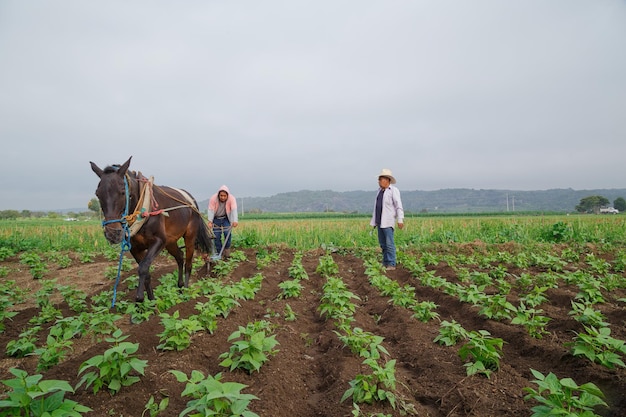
(33,396)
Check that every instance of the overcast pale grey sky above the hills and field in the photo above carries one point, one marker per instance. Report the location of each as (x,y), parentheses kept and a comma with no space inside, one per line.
(272,96)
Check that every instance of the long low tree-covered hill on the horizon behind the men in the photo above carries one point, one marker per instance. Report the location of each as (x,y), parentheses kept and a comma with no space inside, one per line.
(456,200)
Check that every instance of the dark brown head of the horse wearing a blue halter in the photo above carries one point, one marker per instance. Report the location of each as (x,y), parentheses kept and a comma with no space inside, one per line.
(111,193)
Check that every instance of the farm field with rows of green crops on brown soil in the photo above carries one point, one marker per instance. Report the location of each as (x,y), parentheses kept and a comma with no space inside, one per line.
(539,293)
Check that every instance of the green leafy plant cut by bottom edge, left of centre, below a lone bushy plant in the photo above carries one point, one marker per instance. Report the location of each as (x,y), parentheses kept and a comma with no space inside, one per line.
(211,397)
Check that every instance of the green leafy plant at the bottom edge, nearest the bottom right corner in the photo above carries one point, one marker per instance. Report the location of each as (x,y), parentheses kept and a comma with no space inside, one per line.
(563,397)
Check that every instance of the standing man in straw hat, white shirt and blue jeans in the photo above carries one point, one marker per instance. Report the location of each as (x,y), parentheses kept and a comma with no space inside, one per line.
(387,209)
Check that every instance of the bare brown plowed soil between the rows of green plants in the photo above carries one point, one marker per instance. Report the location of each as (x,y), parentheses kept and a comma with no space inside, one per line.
(312,370)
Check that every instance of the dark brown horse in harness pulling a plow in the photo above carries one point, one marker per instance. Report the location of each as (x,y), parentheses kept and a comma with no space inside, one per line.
(148,218)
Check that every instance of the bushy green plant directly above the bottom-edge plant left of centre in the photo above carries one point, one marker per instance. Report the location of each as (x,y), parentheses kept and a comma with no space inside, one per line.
(251,351)
